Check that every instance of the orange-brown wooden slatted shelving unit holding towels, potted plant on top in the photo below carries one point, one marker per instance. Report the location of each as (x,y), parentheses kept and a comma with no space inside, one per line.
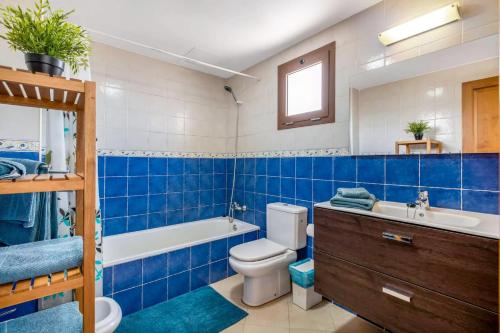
(22,88)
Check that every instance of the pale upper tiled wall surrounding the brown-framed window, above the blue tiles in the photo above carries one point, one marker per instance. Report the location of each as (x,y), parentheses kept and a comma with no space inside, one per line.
(358,50)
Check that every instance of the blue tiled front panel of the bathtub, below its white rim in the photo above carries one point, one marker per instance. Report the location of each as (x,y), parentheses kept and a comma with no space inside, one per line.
(141,283)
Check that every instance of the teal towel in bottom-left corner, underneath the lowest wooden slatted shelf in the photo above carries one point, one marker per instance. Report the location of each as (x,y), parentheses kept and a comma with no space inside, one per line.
(62,318)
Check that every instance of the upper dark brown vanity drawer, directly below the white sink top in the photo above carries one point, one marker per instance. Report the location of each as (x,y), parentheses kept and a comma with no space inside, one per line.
(458,265)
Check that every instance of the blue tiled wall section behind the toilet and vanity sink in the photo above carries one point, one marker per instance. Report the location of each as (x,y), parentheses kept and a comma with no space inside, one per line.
(468,181)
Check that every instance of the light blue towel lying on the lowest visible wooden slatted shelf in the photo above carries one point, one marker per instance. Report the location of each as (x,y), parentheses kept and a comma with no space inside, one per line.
(29,260)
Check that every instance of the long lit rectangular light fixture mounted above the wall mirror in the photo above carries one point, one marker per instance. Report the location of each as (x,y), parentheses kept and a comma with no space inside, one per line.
(432,20)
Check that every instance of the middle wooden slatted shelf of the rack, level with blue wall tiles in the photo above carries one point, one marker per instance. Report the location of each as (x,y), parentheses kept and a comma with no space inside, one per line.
(42,183)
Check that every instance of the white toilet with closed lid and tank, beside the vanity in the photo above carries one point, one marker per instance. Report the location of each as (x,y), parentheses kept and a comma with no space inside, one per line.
(264,262)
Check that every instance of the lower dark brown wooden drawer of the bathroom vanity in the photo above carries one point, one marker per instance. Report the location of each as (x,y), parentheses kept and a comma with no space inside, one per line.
(396,305)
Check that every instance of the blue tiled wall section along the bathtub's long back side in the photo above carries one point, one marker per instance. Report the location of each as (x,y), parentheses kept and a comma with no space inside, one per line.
(140,193)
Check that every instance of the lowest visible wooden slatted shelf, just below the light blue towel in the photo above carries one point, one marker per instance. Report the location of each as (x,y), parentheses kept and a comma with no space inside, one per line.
(41,286)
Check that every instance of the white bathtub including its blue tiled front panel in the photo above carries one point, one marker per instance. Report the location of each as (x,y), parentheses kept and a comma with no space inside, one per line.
(146,267)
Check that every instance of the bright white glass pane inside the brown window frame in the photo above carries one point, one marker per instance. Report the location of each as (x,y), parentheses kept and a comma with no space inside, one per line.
(304,90)
